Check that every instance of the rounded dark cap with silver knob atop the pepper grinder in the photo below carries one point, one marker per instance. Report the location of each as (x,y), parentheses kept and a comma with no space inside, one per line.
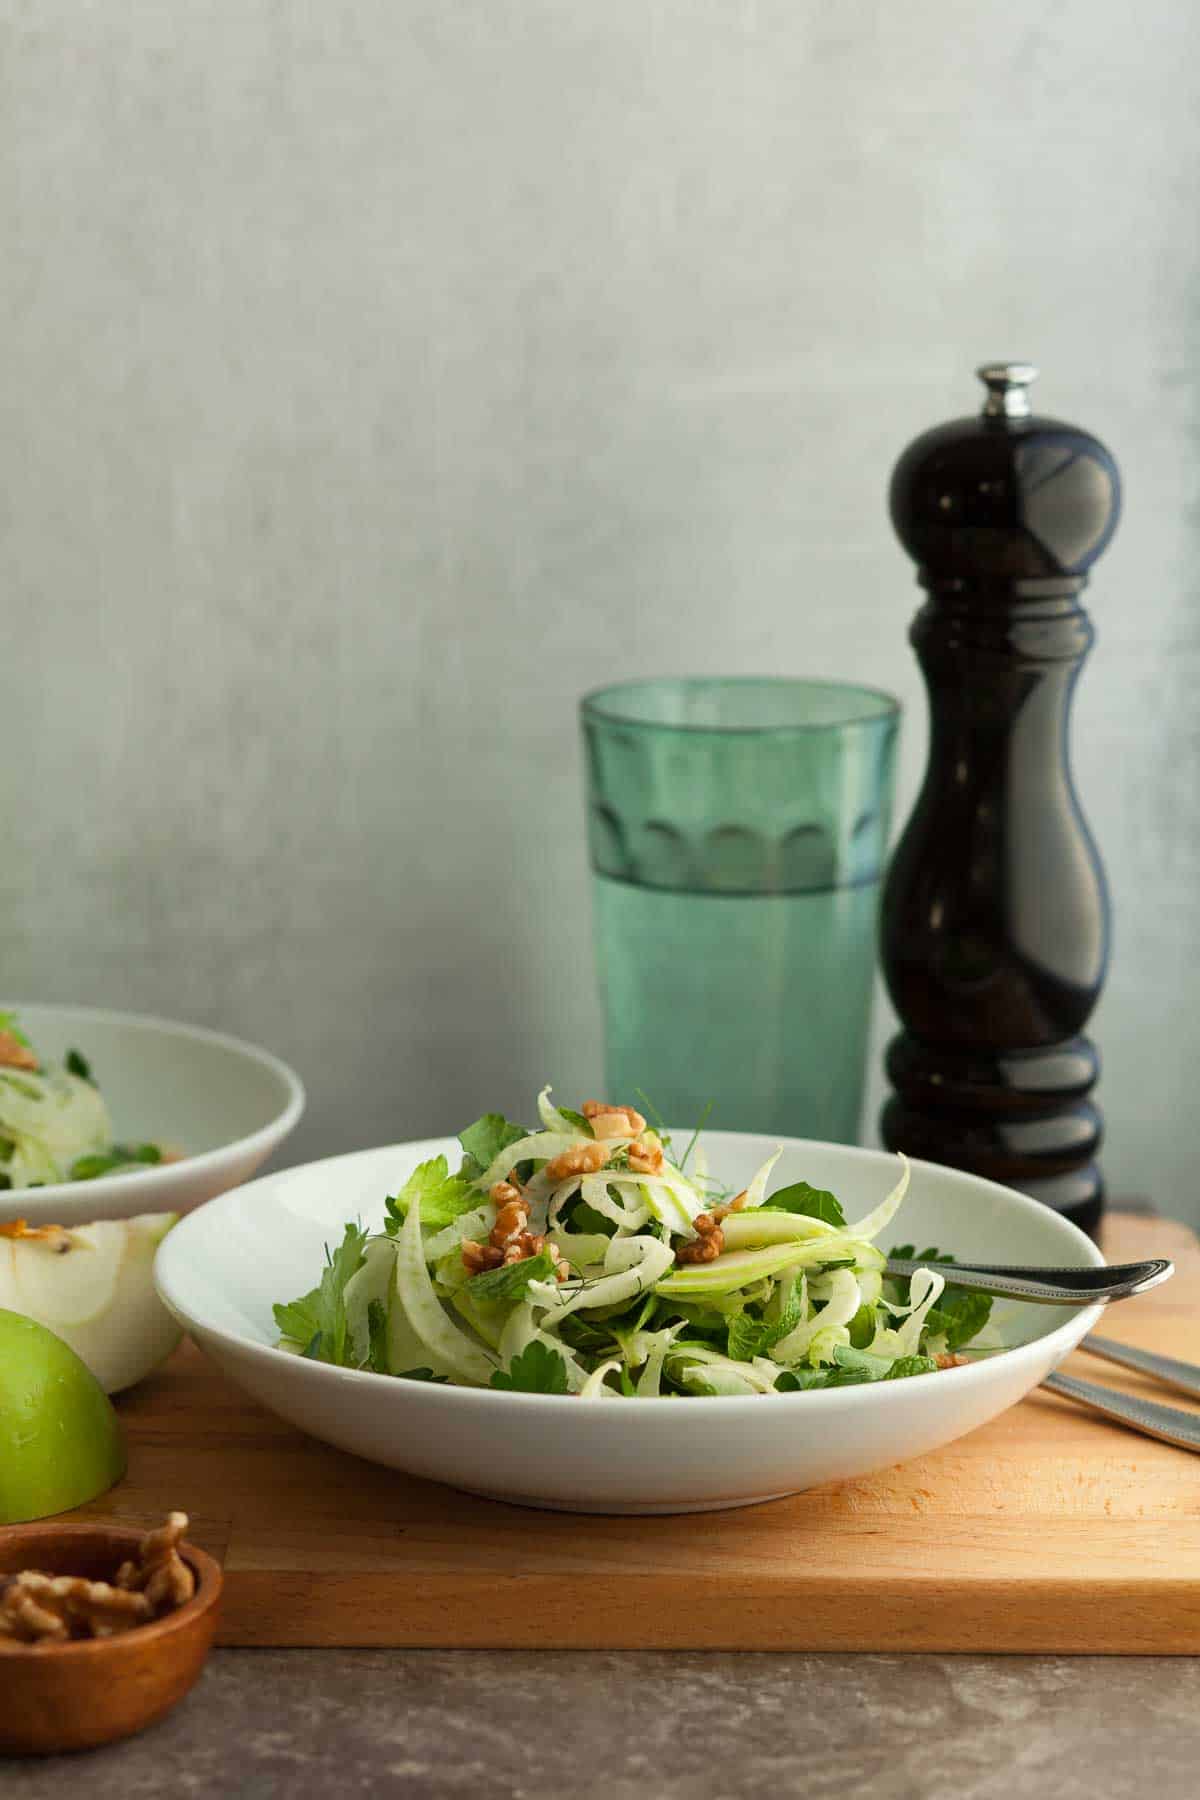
(1007,499)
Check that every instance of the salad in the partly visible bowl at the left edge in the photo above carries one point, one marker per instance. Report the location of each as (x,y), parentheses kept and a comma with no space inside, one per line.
(53,1119)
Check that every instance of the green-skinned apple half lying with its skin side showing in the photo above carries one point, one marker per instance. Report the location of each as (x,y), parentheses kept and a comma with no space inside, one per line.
(60,1439)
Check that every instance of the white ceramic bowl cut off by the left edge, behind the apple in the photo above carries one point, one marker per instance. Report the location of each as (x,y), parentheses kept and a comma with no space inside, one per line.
(226,1104)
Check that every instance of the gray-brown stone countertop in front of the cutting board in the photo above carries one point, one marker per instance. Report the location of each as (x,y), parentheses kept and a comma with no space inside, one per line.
(649,1725)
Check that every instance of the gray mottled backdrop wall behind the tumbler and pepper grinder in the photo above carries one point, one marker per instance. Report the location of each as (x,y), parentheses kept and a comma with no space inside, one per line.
(377,377)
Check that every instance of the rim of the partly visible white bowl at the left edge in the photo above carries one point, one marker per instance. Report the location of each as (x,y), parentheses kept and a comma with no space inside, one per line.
(154,1183)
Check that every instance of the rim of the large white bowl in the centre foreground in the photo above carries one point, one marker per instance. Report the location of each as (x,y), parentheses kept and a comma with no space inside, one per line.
(1064,1336)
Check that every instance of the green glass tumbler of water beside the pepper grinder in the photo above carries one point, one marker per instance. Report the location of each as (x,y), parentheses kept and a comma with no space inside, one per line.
(739,832)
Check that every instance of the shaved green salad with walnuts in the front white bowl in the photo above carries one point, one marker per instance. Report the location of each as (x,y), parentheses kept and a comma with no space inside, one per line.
(586,1257)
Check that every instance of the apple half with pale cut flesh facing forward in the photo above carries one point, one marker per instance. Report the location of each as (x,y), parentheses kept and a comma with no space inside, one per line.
(94,1288)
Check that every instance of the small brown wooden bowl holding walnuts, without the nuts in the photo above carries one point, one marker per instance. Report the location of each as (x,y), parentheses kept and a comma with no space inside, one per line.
(76,1696)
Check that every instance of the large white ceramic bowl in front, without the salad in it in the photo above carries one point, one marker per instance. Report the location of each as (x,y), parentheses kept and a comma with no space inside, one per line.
(220,1272)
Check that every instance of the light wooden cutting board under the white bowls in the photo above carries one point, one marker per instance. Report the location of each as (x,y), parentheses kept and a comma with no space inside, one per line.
(1046,1531)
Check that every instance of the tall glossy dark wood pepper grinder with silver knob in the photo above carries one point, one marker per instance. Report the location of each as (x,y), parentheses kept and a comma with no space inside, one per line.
(996,915)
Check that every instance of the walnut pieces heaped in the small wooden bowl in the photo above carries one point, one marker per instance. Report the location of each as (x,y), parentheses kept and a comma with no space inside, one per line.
(39,1608)
